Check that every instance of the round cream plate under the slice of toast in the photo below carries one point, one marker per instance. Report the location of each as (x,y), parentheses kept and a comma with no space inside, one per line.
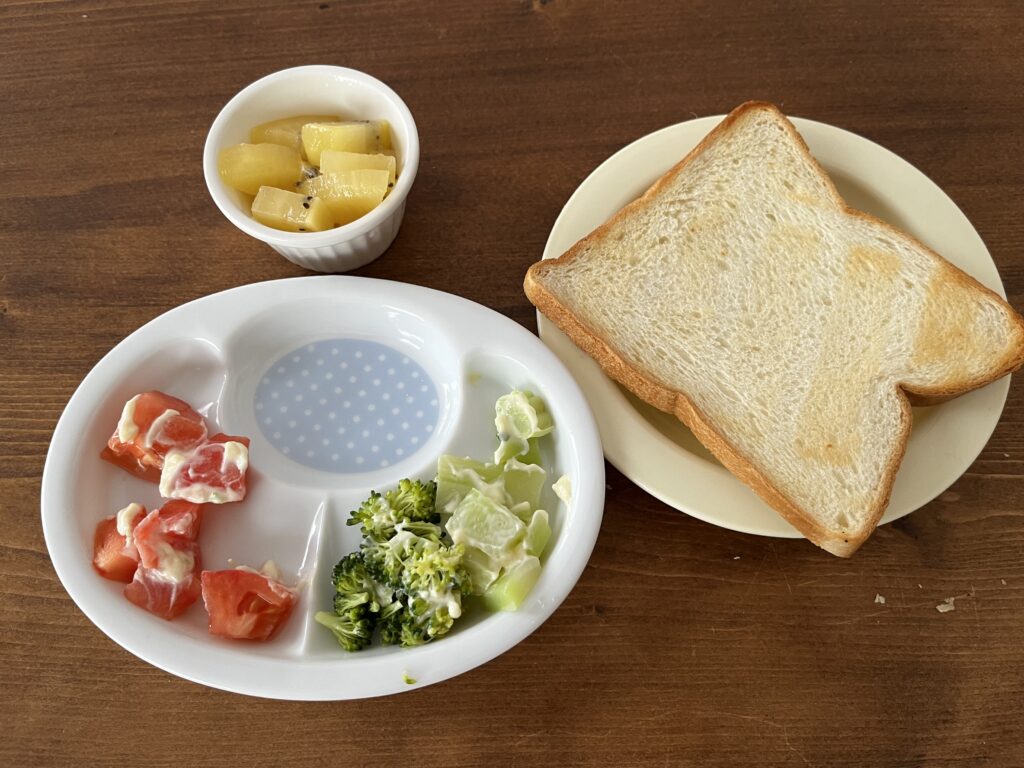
(658,452)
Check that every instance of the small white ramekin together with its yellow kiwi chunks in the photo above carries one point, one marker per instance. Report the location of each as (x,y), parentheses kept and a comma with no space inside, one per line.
(279,108)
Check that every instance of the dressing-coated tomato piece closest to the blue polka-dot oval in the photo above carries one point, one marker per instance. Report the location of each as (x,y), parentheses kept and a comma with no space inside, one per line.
(214,474)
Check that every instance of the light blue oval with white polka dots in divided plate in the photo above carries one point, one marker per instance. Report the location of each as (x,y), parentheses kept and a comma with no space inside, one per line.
(347,406)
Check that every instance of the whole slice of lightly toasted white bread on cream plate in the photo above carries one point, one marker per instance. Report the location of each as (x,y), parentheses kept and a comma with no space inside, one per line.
(788,331)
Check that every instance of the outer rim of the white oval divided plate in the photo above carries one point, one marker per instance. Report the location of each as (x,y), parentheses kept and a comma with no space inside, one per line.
(432,663)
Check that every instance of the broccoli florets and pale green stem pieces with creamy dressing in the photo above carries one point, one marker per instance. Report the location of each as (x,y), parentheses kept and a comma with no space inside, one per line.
(477,530)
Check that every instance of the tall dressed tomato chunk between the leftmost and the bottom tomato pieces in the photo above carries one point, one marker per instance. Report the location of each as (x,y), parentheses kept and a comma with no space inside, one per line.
(167,580)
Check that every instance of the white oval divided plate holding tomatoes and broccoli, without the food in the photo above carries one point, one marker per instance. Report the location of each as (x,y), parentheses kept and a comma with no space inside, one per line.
(345,386)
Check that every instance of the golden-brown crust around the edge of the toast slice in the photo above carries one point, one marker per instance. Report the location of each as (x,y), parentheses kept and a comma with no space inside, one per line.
(679,405)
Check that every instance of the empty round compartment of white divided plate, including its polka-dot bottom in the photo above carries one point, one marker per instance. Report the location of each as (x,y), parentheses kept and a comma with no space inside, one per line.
(346,394)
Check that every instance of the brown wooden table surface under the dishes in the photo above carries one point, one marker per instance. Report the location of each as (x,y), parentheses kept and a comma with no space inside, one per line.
(682,644)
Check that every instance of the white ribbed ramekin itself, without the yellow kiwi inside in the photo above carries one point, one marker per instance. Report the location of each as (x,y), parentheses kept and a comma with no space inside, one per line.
(312,91)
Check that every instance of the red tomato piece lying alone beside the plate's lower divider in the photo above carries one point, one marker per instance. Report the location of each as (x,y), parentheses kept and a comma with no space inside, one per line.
(246,606)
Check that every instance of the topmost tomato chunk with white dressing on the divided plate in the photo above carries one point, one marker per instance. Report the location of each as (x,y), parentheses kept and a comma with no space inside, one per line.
(151,425)
